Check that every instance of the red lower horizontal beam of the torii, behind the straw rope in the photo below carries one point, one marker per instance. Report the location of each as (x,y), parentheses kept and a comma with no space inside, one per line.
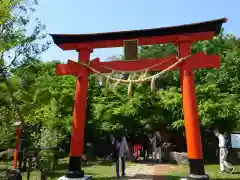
(197,61)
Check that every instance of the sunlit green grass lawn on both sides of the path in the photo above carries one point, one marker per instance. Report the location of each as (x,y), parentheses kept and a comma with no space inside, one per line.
(104,171)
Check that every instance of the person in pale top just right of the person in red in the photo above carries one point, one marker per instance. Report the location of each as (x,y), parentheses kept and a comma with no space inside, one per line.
(156,142)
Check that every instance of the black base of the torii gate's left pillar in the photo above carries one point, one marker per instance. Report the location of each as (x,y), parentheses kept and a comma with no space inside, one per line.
(75,168)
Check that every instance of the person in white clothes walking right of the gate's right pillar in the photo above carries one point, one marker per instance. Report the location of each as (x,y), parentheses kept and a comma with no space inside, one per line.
(223,152)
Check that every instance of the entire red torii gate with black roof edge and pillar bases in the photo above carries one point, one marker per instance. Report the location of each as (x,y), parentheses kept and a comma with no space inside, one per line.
(182,36)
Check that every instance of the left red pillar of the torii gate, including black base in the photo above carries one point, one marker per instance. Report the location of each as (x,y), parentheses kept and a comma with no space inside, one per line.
(79,116)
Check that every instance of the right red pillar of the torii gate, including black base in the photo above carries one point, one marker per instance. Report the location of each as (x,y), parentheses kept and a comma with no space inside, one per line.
(191,121)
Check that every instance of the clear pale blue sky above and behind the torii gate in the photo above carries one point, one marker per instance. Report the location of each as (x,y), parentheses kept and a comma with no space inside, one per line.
(91,16)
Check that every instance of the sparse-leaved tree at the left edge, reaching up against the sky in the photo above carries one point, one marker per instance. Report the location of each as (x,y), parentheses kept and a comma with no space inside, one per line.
(17,46)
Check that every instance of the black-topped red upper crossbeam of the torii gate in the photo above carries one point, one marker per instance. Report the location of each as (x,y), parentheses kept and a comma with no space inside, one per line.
(196,31)
